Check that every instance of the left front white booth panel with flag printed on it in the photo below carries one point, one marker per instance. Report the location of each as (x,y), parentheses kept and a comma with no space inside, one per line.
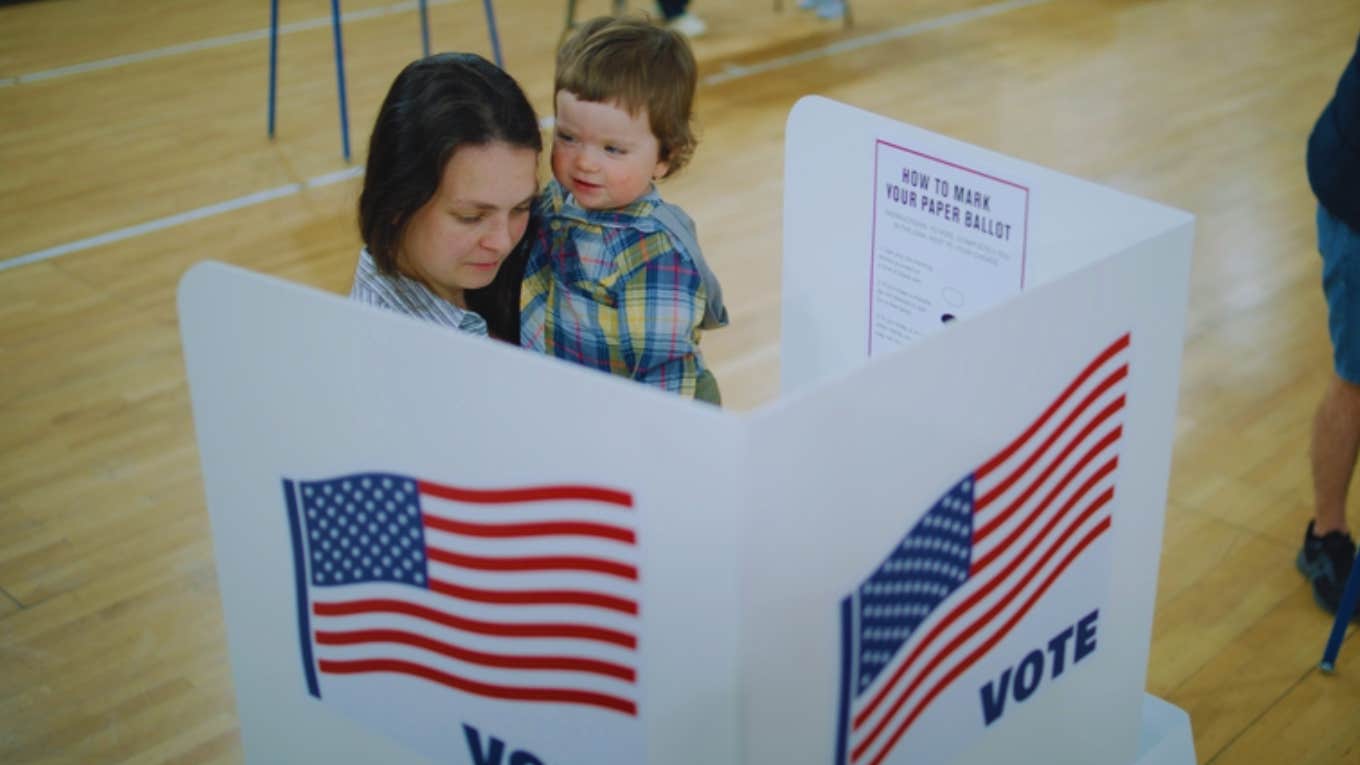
(566,527)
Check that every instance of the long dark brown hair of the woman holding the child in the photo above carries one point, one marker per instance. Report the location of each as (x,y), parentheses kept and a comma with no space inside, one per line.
(436,107)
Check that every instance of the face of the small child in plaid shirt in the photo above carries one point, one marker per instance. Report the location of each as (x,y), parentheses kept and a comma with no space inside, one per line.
(606,157)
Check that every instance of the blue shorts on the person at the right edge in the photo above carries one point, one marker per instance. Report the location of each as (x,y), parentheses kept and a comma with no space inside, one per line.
(1340,248)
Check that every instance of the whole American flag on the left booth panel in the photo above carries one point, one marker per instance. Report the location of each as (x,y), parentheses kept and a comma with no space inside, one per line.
(524,596)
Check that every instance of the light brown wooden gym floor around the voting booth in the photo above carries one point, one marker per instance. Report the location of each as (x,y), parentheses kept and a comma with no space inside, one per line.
(133,145)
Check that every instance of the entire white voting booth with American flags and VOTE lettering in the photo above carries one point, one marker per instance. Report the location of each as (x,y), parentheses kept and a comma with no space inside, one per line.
(939,545)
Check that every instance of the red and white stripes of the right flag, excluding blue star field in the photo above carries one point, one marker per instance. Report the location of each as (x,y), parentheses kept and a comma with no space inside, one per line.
(1038,504)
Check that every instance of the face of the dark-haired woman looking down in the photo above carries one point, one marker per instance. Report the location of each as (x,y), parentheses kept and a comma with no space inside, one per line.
(459,239)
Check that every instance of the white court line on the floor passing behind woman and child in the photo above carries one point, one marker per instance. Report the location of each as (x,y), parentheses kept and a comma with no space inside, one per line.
(728,76)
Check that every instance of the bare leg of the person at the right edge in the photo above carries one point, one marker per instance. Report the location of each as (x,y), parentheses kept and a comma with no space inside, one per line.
(1336,443)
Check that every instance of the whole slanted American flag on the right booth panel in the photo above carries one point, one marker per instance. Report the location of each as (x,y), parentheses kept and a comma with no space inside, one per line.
(979,561)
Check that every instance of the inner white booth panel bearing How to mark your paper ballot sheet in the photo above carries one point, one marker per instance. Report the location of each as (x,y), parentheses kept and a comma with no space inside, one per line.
(893,232)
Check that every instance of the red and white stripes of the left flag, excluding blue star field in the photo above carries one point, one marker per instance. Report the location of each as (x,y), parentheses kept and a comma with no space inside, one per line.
(532,597)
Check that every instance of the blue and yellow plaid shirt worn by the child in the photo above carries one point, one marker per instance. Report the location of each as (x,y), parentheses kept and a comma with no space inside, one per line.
(617,292)
